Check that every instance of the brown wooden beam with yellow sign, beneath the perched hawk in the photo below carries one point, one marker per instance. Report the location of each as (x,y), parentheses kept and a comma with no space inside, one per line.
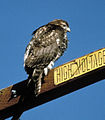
(61,80)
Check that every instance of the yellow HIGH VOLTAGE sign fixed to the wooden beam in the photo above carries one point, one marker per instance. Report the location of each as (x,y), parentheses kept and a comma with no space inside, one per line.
(79,66)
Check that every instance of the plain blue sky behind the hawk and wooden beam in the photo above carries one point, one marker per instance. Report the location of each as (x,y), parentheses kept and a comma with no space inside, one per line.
(19,18)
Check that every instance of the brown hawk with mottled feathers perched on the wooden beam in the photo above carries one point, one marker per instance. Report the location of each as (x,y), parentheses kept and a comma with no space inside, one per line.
(47,44)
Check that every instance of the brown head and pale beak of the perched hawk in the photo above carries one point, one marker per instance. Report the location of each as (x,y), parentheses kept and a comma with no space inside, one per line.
(63,24)
